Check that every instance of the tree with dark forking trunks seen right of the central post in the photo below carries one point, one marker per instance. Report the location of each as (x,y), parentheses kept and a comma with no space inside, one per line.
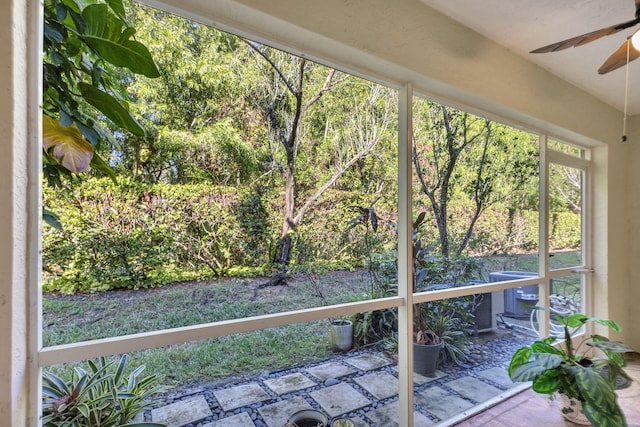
(459,156)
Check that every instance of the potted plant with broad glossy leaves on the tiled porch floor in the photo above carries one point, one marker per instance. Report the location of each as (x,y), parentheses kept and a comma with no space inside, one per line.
(587,383)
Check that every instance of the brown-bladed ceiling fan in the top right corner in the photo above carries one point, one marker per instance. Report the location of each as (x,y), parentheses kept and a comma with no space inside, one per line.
(619,57)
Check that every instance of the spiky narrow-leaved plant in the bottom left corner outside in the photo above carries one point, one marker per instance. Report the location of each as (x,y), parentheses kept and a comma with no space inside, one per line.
(103,396)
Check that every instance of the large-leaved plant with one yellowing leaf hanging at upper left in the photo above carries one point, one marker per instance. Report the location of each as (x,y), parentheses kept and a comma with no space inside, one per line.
(85,48)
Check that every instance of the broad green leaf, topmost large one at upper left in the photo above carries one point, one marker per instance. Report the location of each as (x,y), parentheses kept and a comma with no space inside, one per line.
(110,37)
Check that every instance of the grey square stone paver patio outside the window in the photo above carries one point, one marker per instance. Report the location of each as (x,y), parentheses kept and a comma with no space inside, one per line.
(361,386)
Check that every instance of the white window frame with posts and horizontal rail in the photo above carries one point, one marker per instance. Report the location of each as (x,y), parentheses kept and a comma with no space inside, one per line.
(47,356)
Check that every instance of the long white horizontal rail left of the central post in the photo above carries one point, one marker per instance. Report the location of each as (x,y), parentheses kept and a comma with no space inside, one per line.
(85,350)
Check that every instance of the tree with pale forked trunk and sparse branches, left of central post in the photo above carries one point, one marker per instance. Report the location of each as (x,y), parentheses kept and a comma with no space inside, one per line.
(287,90)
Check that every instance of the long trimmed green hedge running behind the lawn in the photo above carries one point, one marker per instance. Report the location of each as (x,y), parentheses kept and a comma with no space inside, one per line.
(134,235)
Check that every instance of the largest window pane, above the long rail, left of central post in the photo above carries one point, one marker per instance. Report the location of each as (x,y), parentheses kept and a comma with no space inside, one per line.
(266,183)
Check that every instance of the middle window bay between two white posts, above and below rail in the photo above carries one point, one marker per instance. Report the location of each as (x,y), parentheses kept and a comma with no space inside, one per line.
(476,221)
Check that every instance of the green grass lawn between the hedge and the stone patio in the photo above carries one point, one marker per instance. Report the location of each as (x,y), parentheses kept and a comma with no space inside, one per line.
(68,319)
